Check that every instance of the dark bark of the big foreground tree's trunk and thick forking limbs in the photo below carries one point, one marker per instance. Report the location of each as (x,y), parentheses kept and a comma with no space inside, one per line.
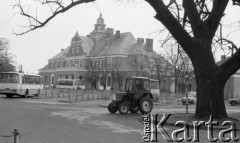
(210,77)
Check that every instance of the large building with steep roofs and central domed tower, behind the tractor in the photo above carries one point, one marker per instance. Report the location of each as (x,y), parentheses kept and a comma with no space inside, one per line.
(101,52)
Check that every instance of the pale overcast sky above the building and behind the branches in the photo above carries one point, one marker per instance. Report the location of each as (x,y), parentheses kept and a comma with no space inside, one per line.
(33,49)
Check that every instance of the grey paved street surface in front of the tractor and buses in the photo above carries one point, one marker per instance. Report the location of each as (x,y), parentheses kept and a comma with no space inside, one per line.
(40,121)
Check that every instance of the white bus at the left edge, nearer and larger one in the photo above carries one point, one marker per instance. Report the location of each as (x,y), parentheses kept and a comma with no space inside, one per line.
(20,84)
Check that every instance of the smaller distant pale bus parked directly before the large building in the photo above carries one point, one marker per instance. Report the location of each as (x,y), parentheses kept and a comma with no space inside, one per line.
(70,84)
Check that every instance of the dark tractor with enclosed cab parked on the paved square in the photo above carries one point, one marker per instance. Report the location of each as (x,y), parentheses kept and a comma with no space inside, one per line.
(136,96)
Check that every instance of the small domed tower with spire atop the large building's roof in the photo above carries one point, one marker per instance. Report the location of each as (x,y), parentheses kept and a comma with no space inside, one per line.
(100,28)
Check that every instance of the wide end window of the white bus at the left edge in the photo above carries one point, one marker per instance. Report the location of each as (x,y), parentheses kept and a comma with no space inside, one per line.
(9,78)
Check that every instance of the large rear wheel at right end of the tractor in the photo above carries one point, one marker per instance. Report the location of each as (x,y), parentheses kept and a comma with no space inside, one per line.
(145,105)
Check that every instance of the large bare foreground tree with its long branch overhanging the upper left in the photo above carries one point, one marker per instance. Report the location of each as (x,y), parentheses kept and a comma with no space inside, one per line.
(193,24)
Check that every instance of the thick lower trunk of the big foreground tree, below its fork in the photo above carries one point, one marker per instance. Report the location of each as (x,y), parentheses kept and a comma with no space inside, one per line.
(210,94)
